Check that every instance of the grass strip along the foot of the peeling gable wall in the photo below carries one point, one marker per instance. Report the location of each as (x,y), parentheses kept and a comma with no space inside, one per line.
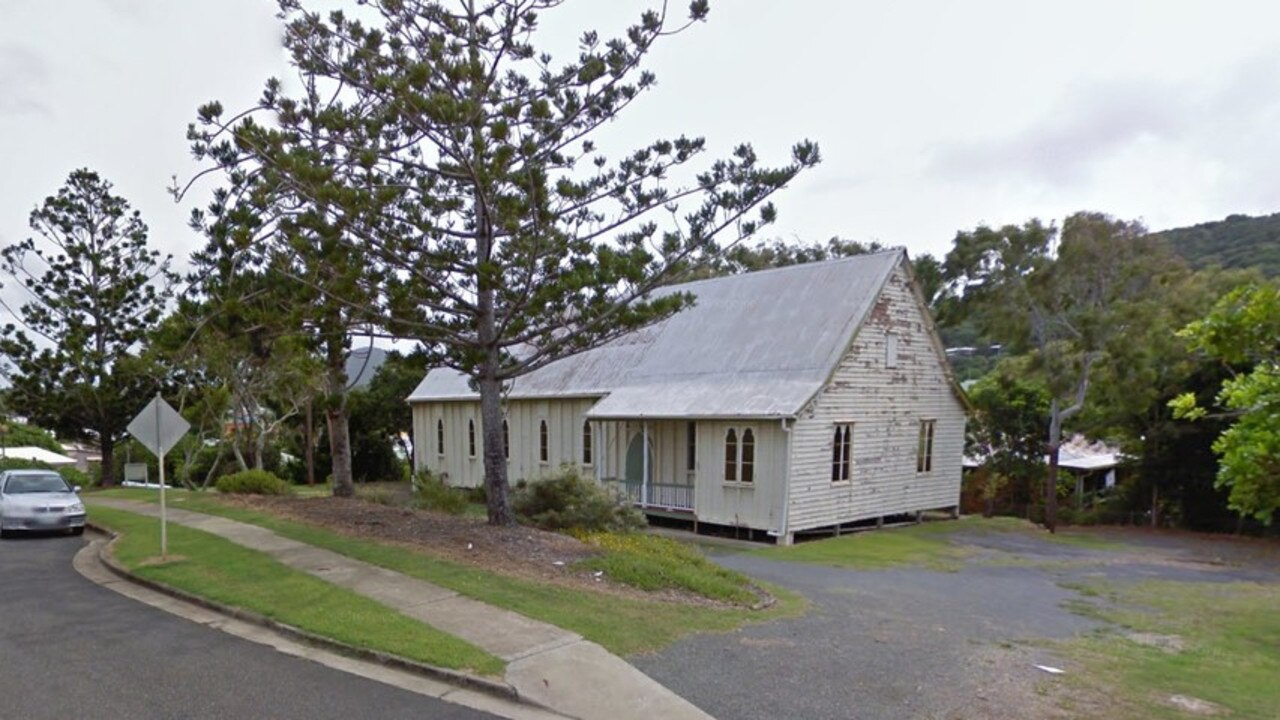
(927,545)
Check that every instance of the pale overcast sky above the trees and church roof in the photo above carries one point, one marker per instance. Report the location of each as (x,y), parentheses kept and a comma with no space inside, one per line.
(932,116)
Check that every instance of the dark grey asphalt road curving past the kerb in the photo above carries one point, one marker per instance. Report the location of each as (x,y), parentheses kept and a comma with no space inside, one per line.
(71,649)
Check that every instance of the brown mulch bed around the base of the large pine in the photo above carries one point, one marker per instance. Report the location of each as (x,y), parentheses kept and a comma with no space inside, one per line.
(522,553)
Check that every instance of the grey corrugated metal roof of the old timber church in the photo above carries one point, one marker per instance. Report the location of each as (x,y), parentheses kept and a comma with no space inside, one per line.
(753,345)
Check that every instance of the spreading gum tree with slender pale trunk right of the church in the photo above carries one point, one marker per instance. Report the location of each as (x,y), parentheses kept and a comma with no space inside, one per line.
(1063,299)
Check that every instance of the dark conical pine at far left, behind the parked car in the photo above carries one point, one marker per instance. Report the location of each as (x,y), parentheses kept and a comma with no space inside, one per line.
(92,289)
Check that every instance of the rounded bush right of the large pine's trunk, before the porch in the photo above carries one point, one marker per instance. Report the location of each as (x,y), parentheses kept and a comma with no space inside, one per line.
(572,503)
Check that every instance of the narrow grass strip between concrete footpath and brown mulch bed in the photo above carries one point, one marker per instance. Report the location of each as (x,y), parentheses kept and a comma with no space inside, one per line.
(623,626)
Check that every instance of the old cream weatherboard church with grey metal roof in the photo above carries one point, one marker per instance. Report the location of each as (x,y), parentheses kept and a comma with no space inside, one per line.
(784,402)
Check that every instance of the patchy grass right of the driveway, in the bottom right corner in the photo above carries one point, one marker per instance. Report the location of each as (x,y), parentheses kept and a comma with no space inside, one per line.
(1231,655)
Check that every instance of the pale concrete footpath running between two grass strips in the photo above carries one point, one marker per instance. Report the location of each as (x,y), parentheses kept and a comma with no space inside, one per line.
(546,666)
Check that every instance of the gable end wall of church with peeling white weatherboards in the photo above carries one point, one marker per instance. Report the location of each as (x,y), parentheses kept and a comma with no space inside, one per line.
(885,405)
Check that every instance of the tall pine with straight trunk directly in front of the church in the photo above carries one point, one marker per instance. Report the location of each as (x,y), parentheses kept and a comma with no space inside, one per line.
(470,172)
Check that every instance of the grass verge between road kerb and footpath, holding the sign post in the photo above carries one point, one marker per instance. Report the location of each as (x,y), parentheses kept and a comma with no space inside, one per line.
(217,569)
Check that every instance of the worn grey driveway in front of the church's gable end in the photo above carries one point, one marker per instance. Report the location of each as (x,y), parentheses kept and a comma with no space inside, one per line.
(911,644)
